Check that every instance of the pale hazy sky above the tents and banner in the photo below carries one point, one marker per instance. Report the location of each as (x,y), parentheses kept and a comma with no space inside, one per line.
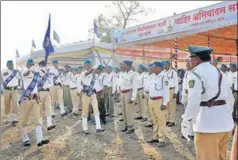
(22,21)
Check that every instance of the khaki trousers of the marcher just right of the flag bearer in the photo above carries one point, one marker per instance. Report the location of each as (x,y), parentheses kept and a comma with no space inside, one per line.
(56,93)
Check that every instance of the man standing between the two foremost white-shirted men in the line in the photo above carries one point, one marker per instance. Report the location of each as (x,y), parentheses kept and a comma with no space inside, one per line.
(140,94)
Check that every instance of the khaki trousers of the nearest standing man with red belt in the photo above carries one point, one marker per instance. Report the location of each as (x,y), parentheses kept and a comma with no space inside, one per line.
(158,118)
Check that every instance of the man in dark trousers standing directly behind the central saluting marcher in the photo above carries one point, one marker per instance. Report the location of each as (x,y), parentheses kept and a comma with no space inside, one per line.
(98,88)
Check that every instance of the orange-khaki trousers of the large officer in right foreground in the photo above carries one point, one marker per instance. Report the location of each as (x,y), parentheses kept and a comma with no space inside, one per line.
(211,146)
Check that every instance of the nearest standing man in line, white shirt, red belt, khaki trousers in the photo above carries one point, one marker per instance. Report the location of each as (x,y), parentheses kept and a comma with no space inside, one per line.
(159,97)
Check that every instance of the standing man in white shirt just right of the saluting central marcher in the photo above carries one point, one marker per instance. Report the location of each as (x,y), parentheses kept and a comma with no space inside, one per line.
(128,96)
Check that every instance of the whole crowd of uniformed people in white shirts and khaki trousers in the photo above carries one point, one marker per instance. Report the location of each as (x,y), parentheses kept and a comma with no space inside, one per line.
(208,93)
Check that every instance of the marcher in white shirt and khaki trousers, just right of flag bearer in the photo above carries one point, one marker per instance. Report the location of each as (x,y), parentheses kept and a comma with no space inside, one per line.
(56,91)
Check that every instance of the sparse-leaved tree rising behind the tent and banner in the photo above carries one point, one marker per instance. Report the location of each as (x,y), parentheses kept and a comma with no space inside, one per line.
(125,13)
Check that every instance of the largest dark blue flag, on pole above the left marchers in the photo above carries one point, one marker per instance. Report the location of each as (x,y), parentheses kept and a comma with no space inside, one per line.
(47,45)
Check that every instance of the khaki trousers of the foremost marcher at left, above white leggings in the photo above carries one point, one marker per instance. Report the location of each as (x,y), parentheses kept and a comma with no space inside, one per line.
(31,108)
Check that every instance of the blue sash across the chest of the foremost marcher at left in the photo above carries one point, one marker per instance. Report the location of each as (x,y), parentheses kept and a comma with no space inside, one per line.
(30,88)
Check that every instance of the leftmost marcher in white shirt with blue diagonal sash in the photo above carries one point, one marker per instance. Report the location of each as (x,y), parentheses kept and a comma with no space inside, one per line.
(10,83)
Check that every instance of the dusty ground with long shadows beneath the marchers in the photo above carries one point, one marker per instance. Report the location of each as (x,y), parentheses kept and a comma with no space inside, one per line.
(67,142)
